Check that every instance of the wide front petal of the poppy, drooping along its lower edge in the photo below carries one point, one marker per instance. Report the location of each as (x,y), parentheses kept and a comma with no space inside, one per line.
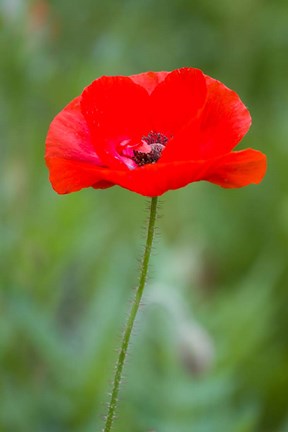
(232,170)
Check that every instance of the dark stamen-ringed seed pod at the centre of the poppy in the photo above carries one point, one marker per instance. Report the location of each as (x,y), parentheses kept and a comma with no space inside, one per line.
(153,145)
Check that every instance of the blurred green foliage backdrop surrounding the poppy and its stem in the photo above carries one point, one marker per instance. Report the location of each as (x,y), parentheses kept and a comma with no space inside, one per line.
(210,346)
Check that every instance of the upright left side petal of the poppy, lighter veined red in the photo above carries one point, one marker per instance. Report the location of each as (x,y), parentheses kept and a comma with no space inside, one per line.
(68,136)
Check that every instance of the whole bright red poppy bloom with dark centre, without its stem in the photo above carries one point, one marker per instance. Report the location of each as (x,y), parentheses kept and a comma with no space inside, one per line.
(150,133)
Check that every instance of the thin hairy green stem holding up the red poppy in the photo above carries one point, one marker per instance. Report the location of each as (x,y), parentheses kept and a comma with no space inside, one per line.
(133,312)
